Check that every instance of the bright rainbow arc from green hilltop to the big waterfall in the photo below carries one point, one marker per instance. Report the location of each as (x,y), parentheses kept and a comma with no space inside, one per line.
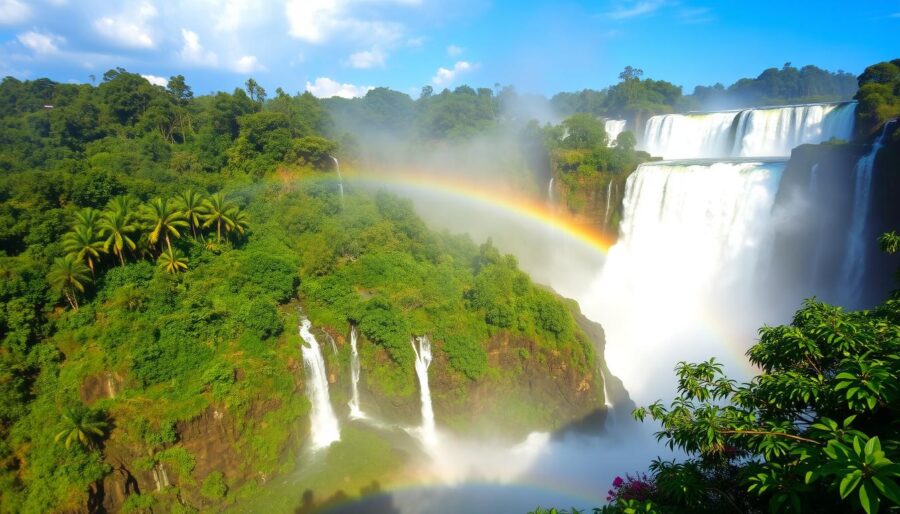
(529,209)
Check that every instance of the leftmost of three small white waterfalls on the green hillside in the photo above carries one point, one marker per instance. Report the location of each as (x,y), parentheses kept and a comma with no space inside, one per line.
(323,423)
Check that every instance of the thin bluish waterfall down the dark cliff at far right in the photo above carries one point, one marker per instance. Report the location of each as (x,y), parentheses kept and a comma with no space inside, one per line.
(853,268)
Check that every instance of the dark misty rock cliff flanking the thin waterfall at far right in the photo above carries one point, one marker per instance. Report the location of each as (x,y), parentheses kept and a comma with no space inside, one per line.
(815,204)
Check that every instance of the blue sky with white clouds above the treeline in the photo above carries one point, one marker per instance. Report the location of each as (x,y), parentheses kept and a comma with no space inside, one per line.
(346,46)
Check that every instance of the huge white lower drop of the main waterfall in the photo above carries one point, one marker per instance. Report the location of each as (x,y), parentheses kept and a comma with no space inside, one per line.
(692,234)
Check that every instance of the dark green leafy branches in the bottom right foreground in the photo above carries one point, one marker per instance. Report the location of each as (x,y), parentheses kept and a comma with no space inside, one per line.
(815,431)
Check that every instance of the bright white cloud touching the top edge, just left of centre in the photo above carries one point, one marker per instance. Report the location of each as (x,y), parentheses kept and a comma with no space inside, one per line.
(316,21)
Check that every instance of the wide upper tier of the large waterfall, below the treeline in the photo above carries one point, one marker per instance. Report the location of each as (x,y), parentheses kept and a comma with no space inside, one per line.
(762,132)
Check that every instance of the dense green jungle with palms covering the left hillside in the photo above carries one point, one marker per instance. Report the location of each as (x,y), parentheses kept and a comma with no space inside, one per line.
(157,250)
